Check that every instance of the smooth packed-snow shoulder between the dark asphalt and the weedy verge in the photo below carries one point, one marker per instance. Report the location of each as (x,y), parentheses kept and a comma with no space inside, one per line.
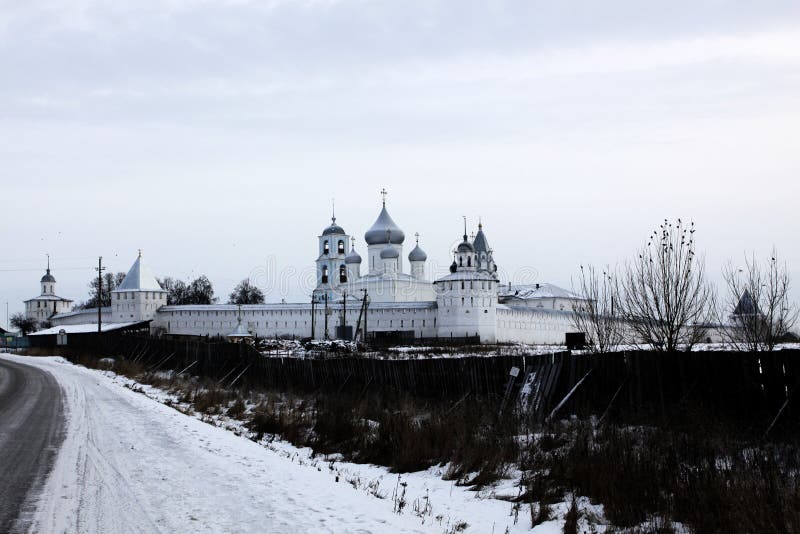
(131,464)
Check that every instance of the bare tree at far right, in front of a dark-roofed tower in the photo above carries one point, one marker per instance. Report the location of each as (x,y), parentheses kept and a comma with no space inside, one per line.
(757,306)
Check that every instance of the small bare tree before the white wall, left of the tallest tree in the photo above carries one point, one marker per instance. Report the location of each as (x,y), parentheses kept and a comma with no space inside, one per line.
(595,316)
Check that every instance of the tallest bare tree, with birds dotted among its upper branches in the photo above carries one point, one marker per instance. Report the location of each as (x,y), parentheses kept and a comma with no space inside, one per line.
(665,298)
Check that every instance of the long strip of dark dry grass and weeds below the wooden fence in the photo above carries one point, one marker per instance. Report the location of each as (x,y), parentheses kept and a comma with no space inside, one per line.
(710,477)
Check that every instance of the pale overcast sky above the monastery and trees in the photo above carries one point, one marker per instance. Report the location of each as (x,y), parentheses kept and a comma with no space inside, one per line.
(213,135)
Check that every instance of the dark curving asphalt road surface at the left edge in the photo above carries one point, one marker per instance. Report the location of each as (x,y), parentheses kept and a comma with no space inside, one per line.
(31,424)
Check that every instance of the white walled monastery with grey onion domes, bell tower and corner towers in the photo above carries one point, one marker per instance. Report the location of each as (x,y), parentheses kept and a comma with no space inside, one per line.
(386,298)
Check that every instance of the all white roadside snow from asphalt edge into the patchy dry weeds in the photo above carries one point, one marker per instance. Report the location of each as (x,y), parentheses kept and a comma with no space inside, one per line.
(132,464)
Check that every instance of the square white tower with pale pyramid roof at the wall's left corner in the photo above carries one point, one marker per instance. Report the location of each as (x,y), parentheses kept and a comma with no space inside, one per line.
(139,295)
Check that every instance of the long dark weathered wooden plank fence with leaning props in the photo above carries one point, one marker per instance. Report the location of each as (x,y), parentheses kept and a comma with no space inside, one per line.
(747,387)
